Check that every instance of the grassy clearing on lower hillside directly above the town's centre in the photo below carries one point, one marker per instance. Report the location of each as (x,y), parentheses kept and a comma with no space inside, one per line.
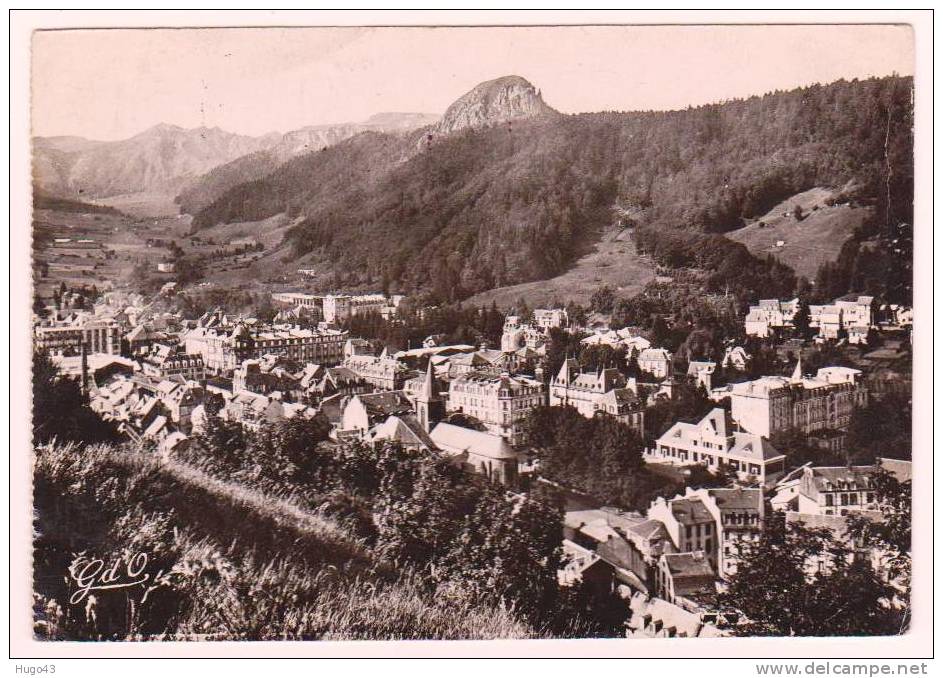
(612,262)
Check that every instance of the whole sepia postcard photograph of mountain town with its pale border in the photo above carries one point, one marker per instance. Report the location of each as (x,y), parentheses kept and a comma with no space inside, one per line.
(446,332)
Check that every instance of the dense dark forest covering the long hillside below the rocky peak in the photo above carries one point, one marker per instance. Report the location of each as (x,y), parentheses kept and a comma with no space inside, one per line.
(512,203)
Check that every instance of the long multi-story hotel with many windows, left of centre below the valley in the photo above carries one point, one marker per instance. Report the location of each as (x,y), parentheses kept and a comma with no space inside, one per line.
(225,347)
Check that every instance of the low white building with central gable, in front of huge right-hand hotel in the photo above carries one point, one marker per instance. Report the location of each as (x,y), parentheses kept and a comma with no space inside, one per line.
(712,442)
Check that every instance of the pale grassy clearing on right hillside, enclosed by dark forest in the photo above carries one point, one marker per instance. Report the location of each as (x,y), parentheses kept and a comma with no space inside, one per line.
(808,243)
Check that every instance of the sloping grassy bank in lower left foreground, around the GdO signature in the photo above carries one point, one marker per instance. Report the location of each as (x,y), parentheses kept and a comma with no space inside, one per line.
(234,563)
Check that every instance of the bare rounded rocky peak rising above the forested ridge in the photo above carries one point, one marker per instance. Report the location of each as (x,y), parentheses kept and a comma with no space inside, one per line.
(494,102)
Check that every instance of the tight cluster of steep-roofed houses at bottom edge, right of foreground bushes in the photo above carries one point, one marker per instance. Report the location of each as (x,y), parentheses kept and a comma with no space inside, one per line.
(673,556)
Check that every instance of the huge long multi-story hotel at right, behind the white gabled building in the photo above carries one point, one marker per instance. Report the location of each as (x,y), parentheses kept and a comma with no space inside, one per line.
(770,405)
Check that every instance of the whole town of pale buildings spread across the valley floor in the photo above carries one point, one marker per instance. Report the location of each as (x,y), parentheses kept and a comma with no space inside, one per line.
(765,428)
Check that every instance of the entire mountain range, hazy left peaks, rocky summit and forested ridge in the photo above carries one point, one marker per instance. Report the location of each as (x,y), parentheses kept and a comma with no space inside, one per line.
(503,189)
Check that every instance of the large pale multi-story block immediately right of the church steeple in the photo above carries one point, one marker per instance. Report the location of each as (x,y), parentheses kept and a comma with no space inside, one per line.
(501,403)
